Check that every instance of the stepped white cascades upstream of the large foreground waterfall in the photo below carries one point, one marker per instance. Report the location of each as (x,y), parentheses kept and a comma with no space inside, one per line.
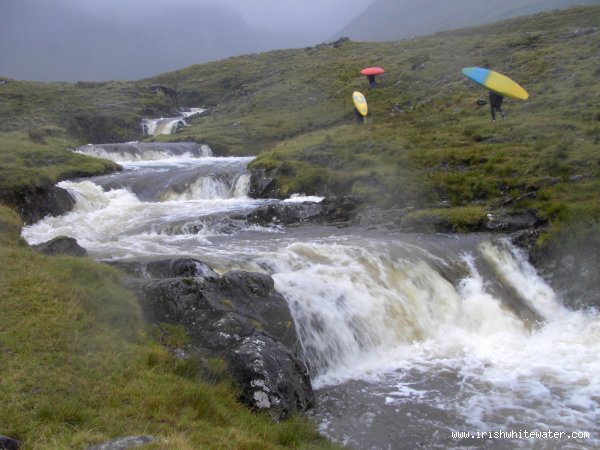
(169,198)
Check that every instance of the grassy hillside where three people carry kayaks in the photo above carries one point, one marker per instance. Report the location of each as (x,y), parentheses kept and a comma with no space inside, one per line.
(426,143)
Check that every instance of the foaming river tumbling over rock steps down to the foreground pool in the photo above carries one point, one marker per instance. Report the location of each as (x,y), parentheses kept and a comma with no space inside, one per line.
(409,338)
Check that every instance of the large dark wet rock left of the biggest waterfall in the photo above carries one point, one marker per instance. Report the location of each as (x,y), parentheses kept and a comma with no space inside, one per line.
(239,317)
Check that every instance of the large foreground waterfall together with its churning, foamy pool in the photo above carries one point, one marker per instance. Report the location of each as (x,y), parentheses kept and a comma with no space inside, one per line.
(386,322)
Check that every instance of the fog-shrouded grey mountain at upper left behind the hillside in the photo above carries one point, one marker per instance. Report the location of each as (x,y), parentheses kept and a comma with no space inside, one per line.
(49,41)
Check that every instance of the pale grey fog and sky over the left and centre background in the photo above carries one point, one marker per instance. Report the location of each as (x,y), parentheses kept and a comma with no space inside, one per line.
(96,40)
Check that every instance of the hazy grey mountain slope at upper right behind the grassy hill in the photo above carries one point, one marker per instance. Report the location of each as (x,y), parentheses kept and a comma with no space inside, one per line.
(388,20)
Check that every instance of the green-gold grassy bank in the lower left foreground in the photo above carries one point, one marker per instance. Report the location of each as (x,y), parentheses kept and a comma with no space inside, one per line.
(79,366)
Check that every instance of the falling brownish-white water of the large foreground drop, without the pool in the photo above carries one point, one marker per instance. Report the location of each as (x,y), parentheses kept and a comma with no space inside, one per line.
(357,306)
